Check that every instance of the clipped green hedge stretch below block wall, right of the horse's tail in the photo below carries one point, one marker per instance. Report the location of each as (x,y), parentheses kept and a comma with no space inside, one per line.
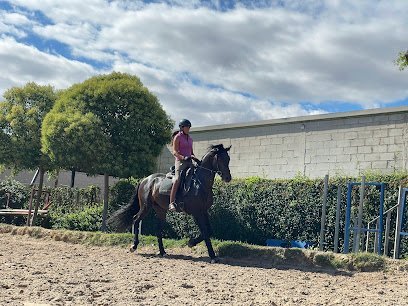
(253,210)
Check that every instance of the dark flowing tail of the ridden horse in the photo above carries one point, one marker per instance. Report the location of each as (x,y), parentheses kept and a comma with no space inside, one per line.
(122,219)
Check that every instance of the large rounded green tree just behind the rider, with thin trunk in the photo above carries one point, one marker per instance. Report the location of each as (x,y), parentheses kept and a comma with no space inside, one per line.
(109,124)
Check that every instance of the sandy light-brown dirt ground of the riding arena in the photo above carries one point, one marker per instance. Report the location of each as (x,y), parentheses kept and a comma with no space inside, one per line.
(46,272)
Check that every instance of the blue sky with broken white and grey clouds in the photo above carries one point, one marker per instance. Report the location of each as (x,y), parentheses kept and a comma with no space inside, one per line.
(216,62)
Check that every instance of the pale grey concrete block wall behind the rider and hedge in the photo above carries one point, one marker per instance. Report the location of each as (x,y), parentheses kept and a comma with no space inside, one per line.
(336,144)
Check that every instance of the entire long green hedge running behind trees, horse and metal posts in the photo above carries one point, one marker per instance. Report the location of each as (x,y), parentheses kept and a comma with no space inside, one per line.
(248,210)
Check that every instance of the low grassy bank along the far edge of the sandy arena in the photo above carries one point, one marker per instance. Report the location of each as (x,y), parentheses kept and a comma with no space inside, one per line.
(236,250)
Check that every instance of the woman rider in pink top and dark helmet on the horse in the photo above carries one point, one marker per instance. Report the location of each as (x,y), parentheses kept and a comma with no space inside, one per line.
(183,153)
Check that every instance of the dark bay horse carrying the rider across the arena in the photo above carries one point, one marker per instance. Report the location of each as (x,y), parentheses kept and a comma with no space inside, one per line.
(196,204)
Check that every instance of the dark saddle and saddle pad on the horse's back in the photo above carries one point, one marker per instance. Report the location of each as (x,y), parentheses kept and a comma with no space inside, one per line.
(189,183)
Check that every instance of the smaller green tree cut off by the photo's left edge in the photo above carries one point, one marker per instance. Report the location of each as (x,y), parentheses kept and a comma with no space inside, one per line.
(21,116)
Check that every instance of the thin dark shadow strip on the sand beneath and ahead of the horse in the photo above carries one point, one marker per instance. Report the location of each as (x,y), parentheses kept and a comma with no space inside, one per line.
(260,263)
